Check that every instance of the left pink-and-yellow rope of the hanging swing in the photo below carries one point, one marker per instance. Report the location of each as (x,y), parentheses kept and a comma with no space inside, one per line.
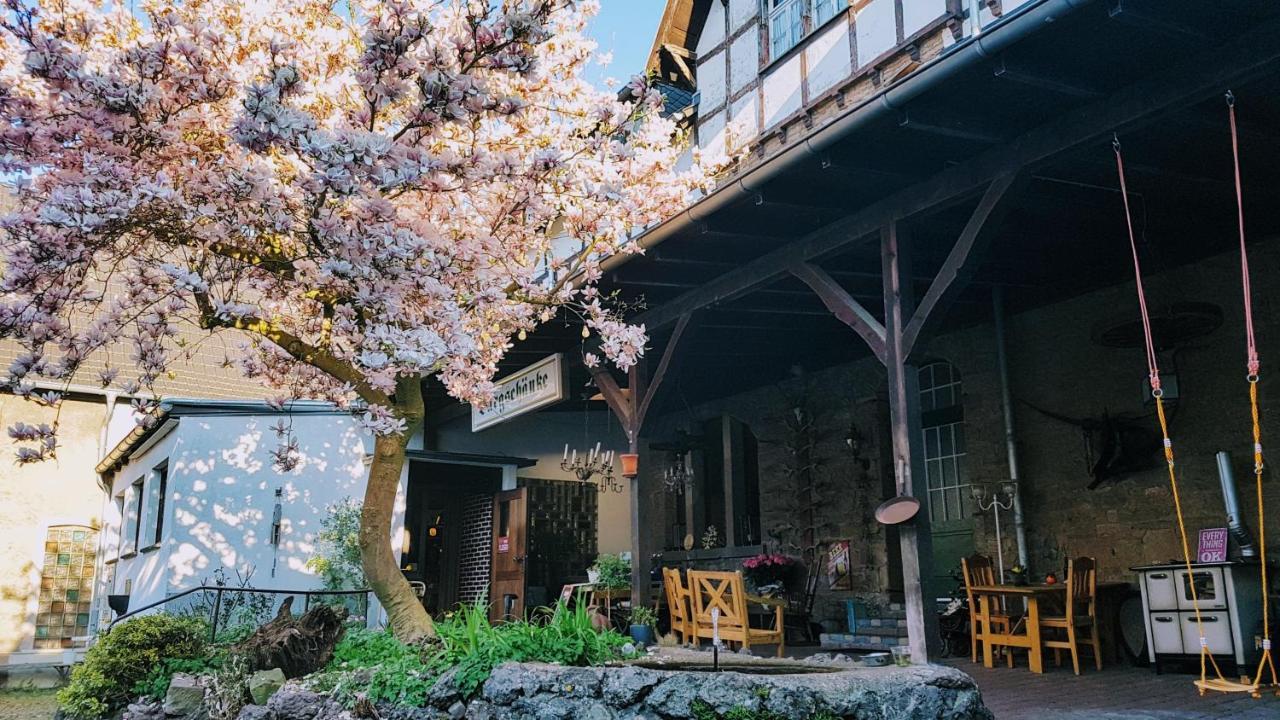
(1206,659)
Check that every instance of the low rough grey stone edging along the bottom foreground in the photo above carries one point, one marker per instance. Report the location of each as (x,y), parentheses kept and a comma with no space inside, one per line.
(606,694)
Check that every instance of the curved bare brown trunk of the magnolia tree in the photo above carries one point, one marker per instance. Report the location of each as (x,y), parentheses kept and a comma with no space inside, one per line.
(409,619)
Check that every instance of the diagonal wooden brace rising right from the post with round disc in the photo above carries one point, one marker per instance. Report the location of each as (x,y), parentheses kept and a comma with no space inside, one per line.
(963,261)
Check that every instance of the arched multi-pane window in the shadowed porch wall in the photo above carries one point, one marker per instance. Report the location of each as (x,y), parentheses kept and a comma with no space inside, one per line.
(943,421)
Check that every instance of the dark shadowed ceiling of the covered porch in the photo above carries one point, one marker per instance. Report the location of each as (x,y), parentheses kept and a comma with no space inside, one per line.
(1064,235)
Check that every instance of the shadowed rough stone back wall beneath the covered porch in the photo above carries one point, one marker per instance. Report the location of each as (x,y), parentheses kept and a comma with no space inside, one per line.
(1054,366)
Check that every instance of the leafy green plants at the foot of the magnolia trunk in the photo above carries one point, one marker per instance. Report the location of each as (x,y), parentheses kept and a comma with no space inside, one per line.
(387,671)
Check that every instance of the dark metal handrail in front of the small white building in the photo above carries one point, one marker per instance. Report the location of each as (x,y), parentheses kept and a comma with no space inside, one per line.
(227,608)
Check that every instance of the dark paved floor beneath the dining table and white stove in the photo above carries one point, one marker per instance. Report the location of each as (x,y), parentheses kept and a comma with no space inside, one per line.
(1116,694)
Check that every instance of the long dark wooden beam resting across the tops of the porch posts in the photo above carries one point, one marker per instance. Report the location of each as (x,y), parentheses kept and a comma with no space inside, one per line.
(1199,76)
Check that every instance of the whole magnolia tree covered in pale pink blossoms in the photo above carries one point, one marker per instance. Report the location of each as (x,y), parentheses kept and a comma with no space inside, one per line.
(368,192)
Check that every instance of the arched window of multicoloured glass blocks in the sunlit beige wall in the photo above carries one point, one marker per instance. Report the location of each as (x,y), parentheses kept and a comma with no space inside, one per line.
(66,586)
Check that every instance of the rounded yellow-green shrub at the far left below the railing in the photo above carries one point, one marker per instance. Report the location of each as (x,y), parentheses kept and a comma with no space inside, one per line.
(124,659)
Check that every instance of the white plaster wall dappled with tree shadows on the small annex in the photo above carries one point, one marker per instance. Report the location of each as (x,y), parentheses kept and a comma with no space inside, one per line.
(221,498)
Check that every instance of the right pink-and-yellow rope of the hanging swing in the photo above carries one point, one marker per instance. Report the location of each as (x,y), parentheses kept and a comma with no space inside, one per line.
(1252,364)
